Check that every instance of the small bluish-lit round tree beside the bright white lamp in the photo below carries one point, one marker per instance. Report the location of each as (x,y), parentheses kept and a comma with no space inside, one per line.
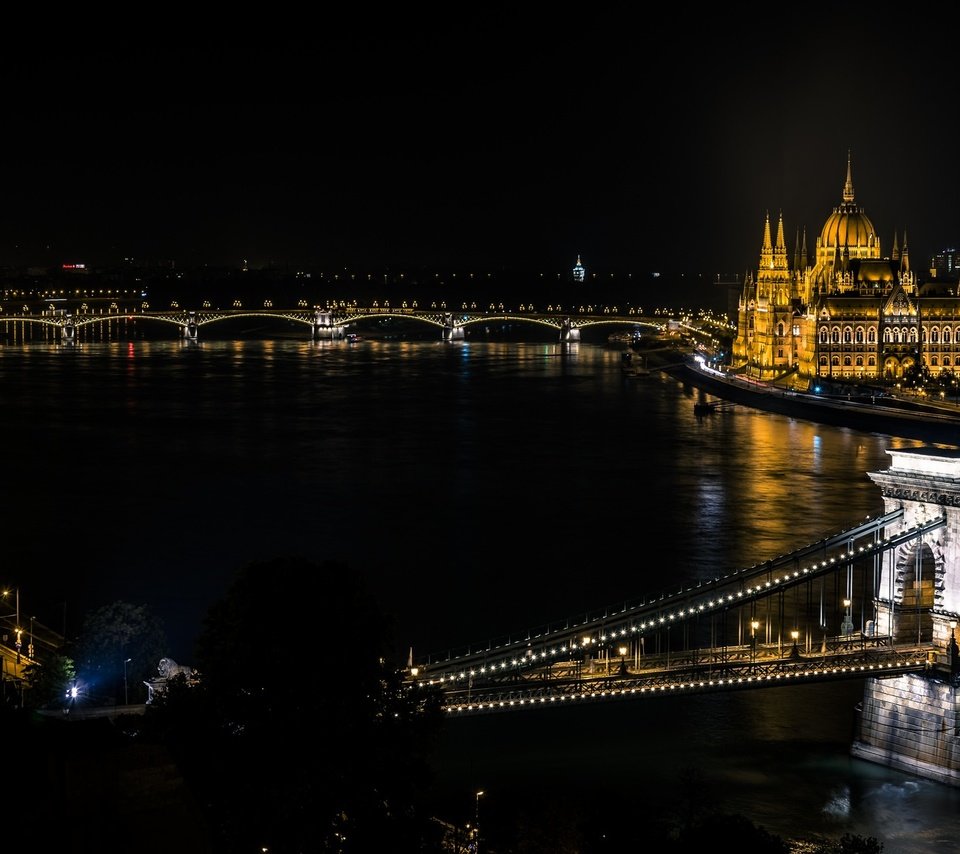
(118,642)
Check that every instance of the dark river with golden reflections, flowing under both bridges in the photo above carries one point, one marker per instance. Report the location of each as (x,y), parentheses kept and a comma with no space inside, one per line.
(480,487)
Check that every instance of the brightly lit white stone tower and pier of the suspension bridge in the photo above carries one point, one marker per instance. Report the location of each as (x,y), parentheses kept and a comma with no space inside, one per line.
(912,722)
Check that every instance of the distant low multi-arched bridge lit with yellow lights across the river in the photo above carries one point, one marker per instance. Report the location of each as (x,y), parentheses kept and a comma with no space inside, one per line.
(332,324)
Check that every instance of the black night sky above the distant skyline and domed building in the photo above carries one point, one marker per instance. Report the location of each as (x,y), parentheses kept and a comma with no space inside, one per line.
(487,141)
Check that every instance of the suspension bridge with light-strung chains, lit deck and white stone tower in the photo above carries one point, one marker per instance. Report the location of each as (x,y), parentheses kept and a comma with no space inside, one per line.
(878,599)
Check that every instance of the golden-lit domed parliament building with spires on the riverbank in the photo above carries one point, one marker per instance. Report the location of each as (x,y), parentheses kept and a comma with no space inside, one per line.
(852,314)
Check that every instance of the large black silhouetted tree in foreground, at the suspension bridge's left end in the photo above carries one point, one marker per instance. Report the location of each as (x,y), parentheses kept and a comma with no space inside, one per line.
(300,733)
